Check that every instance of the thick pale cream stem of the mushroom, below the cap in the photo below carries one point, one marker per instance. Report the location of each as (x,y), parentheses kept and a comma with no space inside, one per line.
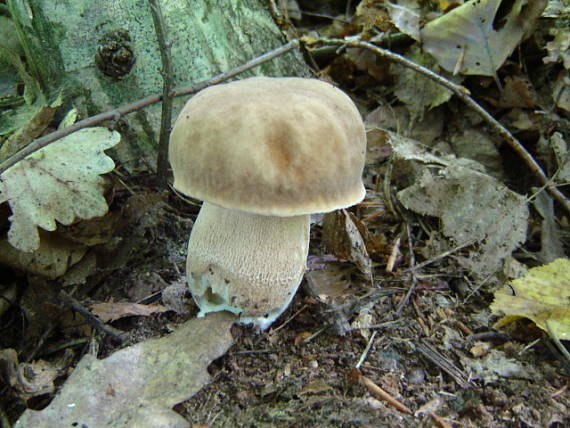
(246,263)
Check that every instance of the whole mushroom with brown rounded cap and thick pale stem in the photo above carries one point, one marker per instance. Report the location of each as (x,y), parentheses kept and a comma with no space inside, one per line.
(263,154)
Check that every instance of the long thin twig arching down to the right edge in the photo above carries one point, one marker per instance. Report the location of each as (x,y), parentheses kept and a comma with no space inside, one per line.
(462,93)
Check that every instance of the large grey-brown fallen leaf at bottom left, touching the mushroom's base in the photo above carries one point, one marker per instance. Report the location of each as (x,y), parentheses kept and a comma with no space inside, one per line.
(138,385)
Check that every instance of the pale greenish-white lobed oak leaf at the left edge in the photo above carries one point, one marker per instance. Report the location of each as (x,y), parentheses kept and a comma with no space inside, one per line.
(60,183)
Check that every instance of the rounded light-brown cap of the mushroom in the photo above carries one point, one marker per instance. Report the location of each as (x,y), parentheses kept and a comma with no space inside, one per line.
(271,146)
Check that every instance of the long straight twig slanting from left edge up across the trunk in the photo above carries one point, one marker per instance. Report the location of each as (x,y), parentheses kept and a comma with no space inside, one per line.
(137,105)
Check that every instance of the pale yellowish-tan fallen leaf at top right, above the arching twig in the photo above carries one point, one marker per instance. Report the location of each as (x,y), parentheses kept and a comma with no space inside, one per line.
(474,39)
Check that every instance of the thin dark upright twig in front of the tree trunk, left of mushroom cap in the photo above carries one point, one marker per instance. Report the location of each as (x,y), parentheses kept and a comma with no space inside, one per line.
(167,93)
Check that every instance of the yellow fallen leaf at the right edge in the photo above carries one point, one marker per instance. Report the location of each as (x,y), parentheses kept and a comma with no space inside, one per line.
(542,295)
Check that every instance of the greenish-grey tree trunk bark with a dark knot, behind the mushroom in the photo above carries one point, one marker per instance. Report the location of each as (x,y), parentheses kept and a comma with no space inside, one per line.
(87,49)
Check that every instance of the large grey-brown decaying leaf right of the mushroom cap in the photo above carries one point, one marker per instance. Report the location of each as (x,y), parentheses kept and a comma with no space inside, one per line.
(473,207)
